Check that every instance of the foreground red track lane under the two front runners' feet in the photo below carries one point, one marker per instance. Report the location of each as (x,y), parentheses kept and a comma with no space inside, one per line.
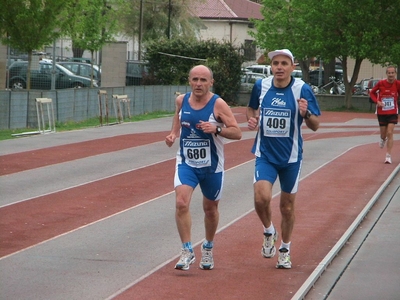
(325,209)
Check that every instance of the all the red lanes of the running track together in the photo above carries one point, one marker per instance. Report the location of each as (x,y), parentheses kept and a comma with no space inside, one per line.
(328,202)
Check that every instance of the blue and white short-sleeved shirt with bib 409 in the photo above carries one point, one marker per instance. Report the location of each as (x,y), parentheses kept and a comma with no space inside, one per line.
(279,136)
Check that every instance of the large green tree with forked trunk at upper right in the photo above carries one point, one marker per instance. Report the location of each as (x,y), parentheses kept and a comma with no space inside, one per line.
(333,29)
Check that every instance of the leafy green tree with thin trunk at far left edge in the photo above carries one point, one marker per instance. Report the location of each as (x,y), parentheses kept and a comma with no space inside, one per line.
(30,25)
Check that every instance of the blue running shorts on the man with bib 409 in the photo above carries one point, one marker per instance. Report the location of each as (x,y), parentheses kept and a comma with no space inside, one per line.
(289,174)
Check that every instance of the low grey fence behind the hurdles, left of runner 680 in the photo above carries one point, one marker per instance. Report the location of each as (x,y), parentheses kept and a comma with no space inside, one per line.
(18,108)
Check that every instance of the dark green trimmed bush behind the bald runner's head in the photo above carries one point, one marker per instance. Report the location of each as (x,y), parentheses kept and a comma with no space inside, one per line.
(170,61)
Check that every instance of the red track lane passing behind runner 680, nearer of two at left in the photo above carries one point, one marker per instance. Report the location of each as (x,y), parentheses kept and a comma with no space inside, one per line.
(27,223)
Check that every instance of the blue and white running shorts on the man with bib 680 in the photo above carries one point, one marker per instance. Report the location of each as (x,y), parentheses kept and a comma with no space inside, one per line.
(211,184)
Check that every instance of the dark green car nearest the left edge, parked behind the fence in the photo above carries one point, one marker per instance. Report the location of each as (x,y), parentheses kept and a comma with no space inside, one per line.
(41,76)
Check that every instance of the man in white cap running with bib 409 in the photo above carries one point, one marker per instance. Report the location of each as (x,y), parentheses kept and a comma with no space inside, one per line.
(278,105)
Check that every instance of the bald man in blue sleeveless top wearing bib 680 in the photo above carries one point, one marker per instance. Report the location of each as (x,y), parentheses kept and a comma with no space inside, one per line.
(202,120)
